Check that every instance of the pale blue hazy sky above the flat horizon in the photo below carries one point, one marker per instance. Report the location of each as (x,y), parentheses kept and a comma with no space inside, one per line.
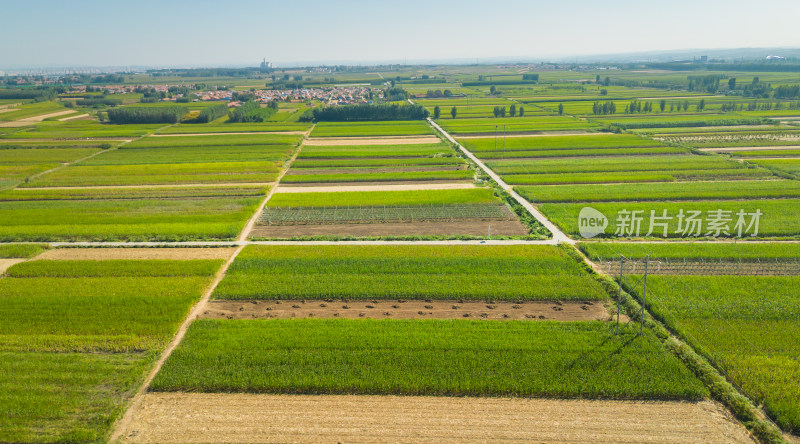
(240,32)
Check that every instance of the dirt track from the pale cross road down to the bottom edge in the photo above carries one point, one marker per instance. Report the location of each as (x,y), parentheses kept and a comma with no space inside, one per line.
(196,311)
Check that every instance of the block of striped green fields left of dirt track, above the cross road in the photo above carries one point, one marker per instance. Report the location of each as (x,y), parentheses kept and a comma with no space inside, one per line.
(152,188)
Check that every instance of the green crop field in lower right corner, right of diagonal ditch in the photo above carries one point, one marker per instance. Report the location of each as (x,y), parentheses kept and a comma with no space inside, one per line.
(752,338)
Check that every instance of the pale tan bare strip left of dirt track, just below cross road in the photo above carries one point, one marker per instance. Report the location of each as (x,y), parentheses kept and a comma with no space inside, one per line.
(67,254)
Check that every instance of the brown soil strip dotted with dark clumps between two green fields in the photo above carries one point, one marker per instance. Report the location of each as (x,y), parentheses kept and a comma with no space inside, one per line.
(408,309)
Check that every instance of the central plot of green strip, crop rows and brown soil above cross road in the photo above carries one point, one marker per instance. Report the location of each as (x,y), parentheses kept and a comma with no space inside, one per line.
(446,213)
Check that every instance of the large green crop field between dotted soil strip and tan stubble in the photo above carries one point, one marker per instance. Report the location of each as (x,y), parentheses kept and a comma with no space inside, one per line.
(428,357)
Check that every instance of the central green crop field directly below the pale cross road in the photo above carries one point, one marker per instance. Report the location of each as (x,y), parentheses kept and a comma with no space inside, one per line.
(414,272)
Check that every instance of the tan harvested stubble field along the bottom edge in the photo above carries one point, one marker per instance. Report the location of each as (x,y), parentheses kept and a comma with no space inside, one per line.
(250,418)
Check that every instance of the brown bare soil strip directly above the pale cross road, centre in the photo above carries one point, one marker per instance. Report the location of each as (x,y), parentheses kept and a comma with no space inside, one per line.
(466,227)
